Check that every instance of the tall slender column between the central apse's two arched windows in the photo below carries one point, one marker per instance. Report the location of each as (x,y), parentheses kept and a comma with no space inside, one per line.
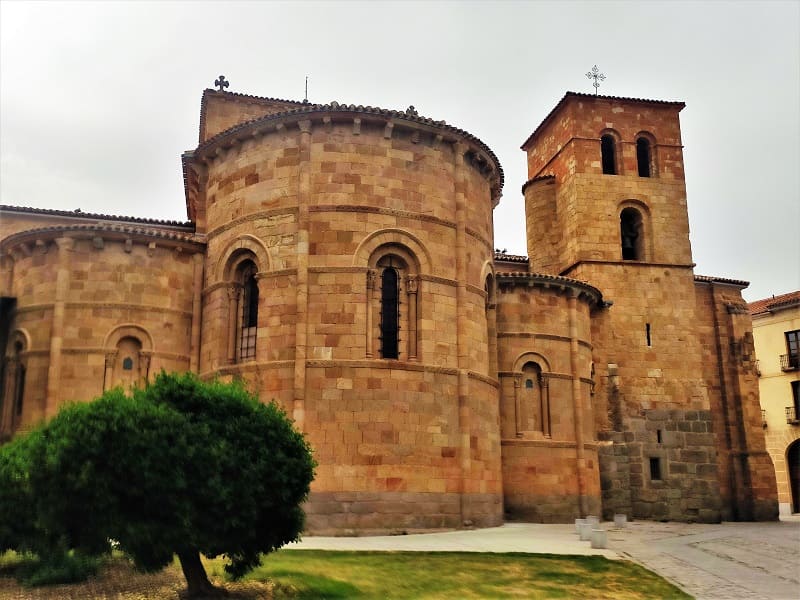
(301,326)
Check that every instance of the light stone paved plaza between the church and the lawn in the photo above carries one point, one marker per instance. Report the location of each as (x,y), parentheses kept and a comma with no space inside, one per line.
(759,561)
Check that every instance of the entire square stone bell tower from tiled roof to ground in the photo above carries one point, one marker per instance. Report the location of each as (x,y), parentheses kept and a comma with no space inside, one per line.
(606,204)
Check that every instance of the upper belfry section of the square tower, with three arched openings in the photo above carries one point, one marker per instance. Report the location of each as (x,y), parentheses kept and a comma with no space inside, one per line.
(606,185)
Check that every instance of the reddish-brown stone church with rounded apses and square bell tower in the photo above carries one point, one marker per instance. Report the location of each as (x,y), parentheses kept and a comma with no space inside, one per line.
(340,260)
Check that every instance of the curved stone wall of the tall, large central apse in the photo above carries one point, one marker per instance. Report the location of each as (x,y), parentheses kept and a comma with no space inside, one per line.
(316,201)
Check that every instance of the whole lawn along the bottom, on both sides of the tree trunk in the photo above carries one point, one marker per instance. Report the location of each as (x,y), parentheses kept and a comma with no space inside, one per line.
(320,574)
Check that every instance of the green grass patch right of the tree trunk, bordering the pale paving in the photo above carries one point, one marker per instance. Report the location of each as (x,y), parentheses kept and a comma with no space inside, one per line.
(317,574)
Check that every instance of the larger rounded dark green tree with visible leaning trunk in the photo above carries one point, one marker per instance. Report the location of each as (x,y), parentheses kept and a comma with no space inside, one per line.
(182,467)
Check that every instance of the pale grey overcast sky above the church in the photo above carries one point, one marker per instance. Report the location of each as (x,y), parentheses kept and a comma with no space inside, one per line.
(99,100)
